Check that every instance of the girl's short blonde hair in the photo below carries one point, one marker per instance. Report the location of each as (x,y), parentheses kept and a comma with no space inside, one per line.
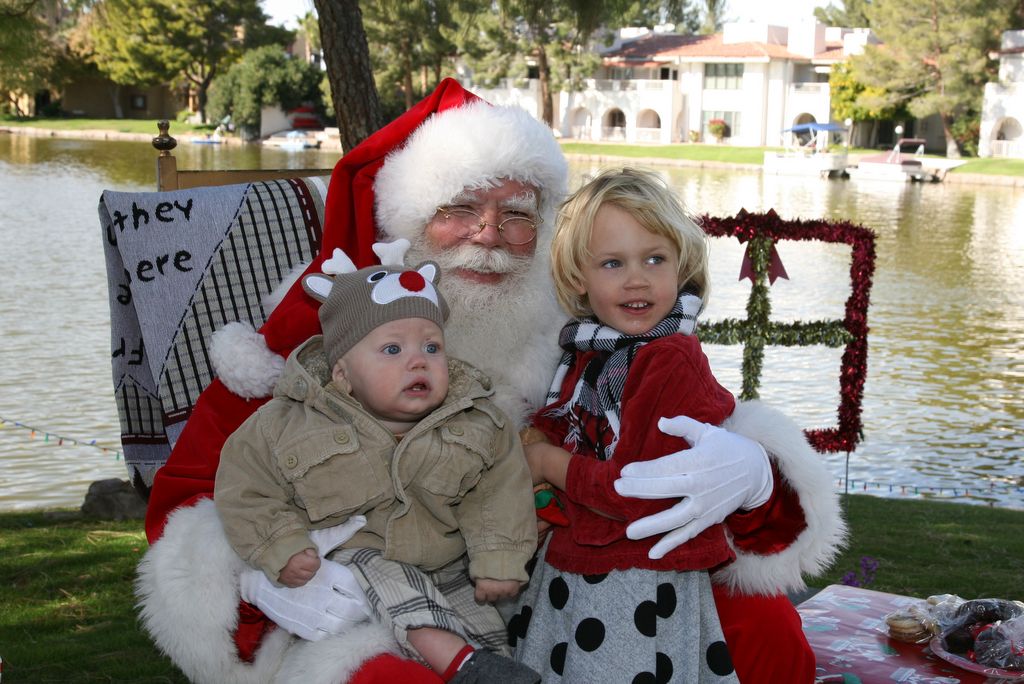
(649,200)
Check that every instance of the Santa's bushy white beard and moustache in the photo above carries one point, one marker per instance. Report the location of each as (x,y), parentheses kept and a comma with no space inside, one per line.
(508,330)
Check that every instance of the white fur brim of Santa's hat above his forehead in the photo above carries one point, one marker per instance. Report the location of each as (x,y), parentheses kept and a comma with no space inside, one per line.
(468,147)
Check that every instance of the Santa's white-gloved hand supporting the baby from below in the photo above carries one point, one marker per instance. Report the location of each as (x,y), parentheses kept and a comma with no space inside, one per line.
(330,604)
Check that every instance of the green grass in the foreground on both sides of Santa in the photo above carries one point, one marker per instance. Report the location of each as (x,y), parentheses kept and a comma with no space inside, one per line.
(68,612)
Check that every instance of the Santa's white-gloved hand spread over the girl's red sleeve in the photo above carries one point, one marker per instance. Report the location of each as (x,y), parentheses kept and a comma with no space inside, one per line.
(721,474)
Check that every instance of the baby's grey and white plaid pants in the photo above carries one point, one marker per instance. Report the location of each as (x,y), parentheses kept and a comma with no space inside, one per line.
(404,597)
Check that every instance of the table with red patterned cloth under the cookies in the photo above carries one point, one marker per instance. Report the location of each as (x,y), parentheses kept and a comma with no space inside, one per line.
(846,629)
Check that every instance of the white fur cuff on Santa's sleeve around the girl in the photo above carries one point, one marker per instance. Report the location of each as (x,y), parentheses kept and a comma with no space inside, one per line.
(817,547)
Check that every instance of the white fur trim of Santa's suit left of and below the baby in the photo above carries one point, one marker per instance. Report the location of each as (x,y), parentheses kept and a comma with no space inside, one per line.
(189,595)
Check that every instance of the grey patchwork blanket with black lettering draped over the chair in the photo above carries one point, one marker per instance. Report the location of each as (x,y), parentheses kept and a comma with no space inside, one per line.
(181,266)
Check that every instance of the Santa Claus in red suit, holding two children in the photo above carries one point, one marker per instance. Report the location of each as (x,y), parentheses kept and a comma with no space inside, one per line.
(454,149)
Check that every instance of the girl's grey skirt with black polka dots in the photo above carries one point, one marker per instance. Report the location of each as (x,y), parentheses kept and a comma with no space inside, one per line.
(639,627)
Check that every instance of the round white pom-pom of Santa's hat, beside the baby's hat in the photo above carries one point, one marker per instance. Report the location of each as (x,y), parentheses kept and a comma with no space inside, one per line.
(243,362)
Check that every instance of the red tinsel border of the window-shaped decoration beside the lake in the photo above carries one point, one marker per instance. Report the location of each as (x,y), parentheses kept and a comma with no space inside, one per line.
(746,227)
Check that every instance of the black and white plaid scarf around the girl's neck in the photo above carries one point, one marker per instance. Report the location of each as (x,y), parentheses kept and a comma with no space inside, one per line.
(600,391)
